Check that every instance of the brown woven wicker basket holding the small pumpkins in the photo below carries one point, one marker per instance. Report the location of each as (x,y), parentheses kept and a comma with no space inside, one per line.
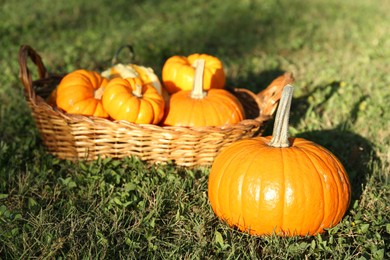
(76,137)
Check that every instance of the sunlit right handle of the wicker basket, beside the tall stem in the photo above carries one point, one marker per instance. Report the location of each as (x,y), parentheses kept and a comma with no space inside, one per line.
(269,97)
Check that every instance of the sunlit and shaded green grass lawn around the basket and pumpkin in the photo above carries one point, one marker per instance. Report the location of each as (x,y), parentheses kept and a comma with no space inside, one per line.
(339,52)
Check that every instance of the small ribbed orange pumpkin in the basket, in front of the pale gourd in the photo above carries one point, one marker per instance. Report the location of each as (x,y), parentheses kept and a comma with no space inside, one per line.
(122,103)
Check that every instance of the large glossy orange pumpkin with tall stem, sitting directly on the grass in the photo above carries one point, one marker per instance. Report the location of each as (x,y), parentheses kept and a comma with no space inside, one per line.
(274,184)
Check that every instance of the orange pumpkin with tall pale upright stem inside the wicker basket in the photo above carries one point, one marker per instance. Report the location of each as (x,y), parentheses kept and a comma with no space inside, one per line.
(214,107)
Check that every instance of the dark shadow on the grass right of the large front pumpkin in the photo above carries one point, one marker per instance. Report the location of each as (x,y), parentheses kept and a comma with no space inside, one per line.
(354,151)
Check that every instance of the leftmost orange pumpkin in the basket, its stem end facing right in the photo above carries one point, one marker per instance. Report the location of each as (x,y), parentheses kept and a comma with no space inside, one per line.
(79,92)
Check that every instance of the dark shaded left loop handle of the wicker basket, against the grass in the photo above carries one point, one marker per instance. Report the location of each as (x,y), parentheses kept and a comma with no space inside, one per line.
(26,52)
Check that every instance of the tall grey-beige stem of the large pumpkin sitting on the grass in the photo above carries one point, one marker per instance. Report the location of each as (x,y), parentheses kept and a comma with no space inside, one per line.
(280,132)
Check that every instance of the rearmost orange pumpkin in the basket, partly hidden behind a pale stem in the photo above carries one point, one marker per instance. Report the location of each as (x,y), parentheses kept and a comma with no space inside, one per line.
(178,72)
